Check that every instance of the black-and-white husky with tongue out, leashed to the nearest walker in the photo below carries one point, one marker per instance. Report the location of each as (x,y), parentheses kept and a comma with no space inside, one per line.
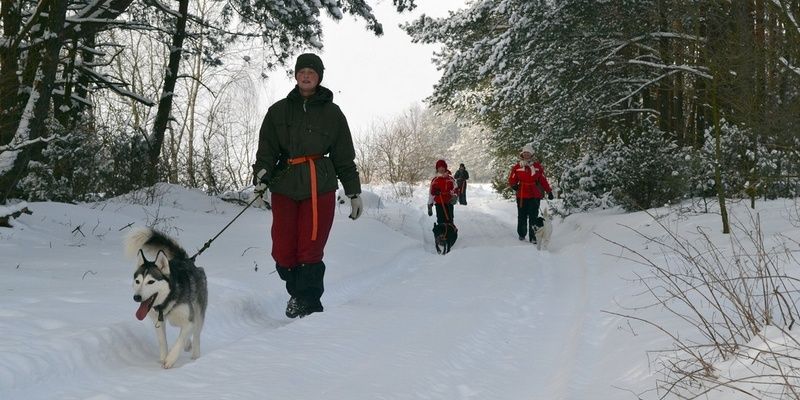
(170,287)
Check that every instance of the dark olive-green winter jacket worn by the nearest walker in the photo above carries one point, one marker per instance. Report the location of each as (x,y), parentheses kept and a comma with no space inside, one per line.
(296,127)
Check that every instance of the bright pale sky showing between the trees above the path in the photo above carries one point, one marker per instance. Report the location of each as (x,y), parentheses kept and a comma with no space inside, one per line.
(374,78)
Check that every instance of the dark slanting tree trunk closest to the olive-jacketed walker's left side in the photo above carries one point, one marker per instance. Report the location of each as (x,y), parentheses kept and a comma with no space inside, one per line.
(163,115)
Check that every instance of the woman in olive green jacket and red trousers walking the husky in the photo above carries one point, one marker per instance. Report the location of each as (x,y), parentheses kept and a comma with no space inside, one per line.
(304,147)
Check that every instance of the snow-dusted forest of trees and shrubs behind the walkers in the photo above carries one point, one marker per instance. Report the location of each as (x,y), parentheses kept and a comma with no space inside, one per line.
(635,103)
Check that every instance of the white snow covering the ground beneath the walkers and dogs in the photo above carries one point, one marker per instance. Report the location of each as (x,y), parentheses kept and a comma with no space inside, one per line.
(494,319)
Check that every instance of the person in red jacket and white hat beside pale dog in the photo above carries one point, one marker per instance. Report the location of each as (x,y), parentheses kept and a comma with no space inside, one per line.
(528,181)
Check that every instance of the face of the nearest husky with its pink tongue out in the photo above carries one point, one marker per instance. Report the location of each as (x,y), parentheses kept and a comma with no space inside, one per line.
(150,283)
